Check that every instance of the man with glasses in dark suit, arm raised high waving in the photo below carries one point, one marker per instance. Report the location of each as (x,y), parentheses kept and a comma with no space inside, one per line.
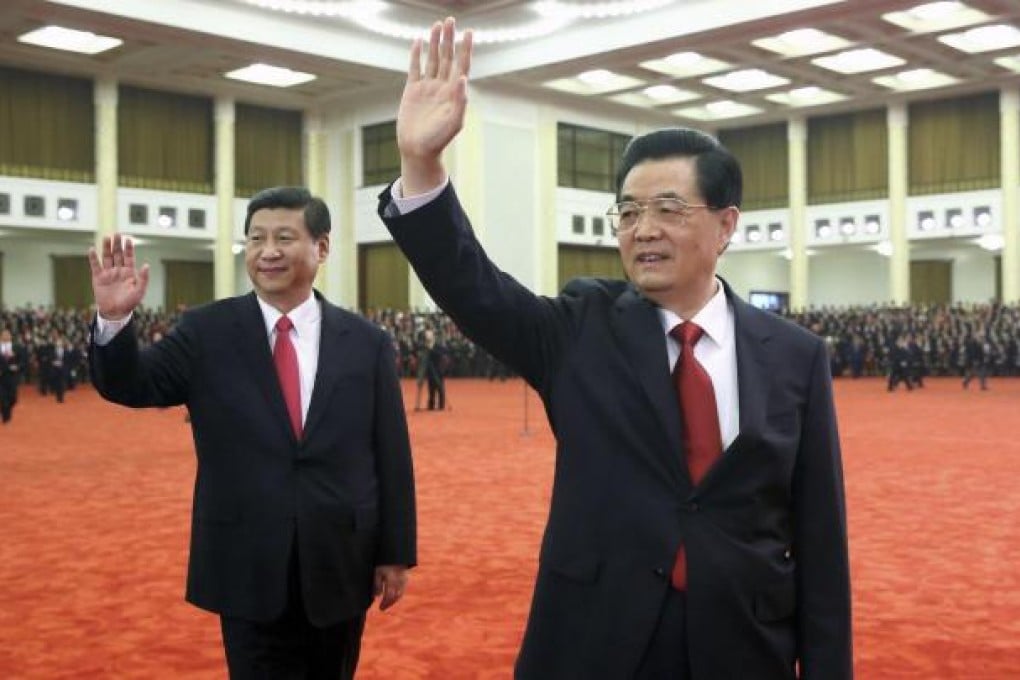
(650,566)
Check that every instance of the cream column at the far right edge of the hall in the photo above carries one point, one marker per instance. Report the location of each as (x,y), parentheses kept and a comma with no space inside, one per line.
(1009,102)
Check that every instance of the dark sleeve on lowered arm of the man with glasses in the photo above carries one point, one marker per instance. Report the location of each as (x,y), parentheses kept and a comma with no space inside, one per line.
(821,543)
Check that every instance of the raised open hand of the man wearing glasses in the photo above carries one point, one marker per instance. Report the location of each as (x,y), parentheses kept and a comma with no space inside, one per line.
(432,110)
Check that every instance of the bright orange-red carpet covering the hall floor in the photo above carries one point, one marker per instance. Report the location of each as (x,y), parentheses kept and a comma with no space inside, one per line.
(95,506)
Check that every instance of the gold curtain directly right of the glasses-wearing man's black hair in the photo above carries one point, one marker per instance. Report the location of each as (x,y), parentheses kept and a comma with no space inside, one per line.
(763,152)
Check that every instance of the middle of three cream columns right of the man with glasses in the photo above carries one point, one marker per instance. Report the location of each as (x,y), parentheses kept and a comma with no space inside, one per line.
(897,122)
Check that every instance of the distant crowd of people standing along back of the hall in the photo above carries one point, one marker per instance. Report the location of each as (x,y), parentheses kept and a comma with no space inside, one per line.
(905,344)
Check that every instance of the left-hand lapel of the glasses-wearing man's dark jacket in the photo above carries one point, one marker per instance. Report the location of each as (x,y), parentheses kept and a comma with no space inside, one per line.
(640,333)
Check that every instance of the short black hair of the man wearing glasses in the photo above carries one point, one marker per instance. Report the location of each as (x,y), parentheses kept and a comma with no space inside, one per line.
(720,177)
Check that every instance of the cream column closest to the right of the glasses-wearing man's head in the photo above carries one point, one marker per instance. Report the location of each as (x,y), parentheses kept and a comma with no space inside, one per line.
(797,135)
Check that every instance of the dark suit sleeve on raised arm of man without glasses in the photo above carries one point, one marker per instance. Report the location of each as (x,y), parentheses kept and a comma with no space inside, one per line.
(159,376)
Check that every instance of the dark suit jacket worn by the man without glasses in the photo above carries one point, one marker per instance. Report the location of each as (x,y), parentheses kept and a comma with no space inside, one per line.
(345,493)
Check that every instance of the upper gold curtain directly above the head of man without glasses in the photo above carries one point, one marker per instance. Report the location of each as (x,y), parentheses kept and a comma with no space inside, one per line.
(268,149)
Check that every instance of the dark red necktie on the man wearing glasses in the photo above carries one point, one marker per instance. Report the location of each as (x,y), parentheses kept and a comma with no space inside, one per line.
(702,440)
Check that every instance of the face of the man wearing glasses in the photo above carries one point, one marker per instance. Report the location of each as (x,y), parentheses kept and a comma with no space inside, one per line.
(673,264)
